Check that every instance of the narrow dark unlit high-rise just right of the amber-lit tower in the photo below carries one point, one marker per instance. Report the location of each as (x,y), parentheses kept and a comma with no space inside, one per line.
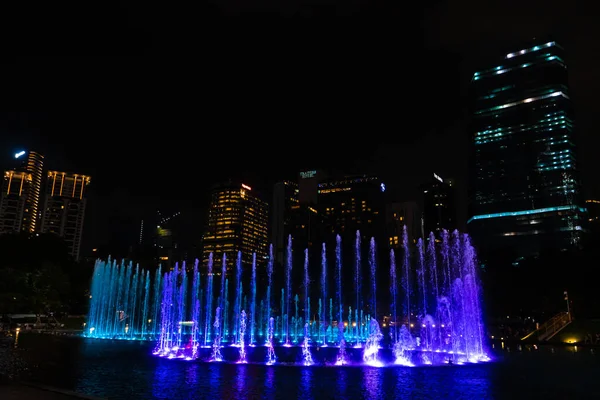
(285,203)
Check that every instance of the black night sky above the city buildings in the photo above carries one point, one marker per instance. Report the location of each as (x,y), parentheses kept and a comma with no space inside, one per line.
(159,101)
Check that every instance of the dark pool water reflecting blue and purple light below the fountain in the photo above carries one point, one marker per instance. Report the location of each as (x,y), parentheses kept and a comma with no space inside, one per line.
(127,370)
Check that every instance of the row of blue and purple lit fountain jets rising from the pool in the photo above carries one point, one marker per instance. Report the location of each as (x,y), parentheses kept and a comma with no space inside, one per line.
(434,309)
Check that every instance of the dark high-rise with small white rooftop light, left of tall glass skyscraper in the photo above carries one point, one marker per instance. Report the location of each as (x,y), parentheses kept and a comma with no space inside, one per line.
(439,211)
